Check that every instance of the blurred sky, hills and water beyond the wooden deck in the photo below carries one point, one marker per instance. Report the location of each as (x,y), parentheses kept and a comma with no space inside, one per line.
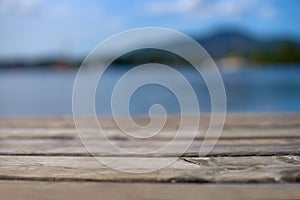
(256,45)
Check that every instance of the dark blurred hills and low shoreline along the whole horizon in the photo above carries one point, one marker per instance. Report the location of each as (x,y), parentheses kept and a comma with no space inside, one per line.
(220,45)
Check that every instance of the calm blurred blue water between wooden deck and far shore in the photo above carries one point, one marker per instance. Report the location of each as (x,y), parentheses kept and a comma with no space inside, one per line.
(37,92)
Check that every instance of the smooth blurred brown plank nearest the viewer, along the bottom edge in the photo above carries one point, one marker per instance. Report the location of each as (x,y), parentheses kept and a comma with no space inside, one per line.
(13,190)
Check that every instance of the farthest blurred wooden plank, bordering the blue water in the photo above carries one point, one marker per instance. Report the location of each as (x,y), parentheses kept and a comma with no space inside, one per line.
(232,120)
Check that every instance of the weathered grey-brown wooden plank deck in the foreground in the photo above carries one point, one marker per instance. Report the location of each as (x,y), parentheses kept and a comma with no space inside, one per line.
(256,157)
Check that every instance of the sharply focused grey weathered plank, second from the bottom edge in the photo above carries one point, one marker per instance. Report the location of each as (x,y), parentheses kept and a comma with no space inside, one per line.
(265,169)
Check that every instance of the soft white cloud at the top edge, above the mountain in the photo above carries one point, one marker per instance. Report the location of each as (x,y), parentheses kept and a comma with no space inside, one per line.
(211,8)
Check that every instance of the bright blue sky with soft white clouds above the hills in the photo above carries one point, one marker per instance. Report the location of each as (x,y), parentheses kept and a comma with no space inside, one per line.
(32,28)
